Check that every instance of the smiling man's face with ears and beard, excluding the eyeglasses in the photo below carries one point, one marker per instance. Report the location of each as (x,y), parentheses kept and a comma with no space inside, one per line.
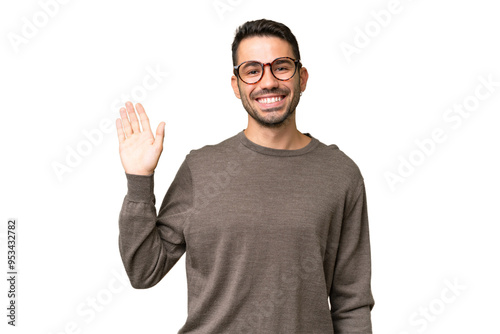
(257,98)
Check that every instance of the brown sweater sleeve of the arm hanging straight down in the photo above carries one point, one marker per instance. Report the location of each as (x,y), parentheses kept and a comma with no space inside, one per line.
(350,295)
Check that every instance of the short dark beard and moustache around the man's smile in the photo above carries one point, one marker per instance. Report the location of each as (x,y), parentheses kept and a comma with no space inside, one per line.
(270,121)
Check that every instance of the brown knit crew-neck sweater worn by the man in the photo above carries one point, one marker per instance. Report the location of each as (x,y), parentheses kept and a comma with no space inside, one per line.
(270,236)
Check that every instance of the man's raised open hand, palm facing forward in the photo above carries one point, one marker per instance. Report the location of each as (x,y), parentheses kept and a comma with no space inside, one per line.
(139,150)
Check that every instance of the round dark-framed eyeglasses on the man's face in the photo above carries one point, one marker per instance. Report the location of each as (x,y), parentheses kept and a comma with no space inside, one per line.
(251,71)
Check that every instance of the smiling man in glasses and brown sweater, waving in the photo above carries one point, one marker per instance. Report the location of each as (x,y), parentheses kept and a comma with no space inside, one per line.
(273,222)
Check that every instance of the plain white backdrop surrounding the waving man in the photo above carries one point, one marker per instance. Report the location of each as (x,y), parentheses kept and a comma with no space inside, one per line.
(386,82)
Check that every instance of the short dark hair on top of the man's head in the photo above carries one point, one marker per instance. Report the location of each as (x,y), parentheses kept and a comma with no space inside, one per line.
(264,27)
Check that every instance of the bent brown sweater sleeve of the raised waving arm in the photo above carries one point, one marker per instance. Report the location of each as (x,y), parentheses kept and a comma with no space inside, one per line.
(150,244)
